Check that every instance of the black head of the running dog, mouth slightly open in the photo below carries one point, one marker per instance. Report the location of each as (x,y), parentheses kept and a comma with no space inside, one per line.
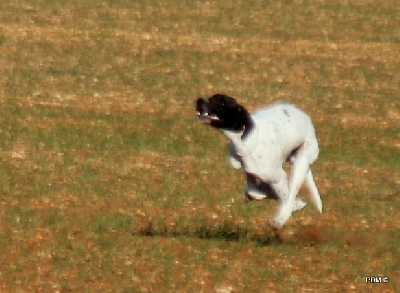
(225,113)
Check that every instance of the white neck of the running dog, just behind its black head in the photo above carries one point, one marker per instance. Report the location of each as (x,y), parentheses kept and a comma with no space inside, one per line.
(244,144)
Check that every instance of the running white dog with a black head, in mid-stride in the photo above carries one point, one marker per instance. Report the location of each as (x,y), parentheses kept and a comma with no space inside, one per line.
(260,143)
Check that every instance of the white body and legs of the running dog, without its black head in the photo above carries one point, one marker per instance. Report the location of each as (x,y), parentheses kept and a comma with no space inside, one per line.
(280,133)
